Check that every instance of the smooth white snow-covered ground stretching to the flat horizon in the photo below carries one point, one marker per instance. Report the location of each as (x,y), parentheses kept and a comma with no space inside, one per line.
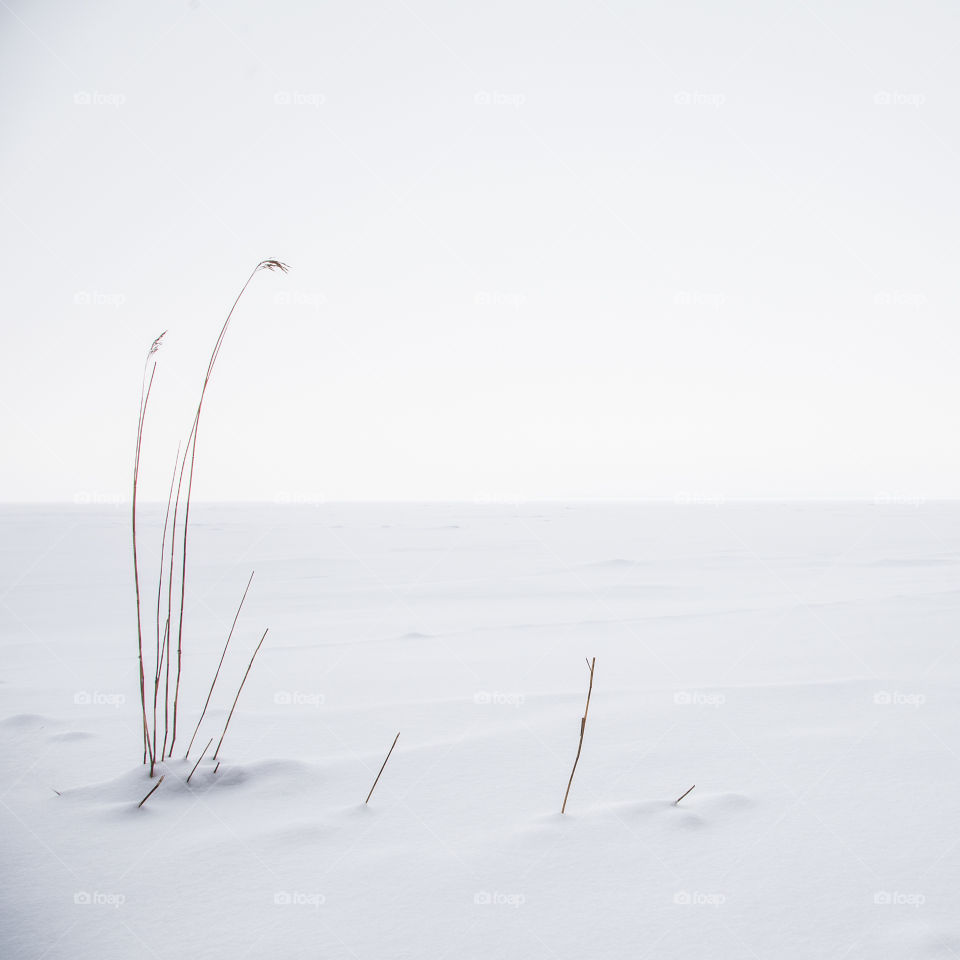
(797,662)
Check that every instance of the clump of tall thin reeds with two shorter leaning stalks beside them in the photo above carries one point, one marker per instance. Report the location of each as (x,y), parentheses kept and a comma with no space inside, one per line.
(173,555)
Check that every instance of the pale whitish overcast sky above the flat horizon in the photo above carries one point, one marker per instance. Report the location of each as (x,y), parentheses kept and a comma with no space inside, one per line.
(595,249)
